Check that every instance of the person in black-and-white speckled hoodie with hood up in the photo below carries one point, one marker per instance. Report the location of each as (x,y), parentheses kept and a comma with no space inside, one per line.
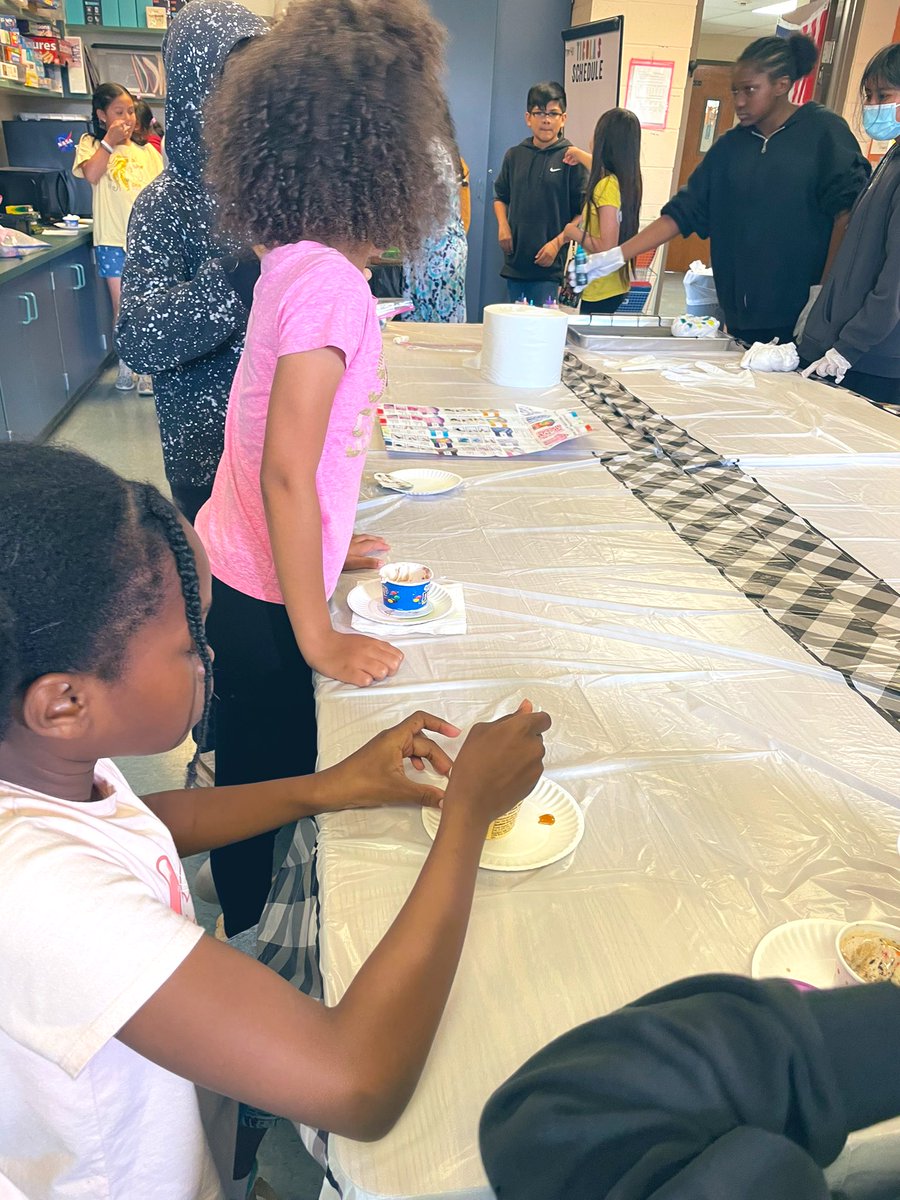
(187,292)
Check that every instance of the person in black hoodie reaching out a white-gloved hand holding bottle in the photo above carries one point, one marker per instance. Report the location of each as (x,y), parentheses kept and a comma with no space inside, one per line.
(771,195)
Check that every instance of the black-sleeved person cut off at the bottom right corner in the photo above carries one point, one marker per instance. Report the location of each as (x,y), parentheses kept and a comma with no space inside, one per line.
(712,1088)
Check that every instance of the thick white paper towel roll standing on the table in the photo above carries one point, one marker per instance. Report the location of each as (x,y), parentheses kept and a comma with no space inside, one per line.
(524,346)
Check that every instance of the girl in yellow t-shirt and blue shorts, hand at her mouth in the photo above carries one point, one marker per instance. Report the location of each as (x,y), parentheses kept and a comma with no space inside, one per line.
(118,169)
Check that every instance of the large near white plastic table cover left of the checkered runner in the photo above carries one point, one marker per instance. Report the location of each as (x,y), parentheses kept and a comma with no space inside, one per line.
(729,782)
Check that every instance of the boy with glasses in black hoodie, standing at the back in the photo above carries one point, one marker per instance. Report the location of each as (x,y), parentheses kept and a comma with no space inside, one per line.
(537,194)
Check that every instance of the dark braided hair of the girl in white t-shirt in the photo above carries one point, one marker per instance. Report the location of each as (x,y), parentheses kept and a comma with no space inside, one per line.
(83,557)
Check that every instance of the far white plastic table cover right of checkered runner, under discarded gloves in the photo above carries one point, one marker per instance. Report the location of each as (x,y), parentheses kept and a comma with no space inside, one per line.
(764,418)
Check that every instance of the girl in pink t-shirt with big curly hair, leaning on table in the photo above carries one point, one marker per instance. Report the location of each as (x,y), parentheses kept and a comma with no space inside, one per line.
(328,159)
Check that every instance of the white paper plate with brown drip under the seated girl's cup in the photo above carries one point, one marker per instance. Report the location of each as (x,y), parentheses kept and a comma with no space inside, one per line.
(531,844)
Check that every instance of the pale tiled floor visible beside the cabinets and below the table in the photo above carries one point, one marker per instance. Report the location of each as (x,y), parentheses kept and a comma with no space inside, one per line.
(121,430)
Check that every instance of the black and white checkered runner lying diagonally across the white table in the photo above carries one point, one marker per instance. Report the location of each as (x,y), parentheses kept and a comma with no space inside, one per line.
(835,608)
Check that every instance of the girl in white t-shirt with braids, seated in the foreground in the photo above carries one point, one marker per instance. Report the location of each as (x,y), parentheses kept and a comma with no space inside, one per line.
(118,1011)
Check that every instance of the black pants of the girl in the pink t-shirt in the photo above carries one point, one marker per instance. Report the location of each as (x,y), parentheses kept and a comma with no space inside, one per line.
(266,729)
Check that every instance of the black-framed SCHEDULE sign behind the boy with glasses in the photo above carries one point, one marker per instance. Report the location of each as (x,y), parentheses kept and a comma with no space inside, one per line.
(593,67)
